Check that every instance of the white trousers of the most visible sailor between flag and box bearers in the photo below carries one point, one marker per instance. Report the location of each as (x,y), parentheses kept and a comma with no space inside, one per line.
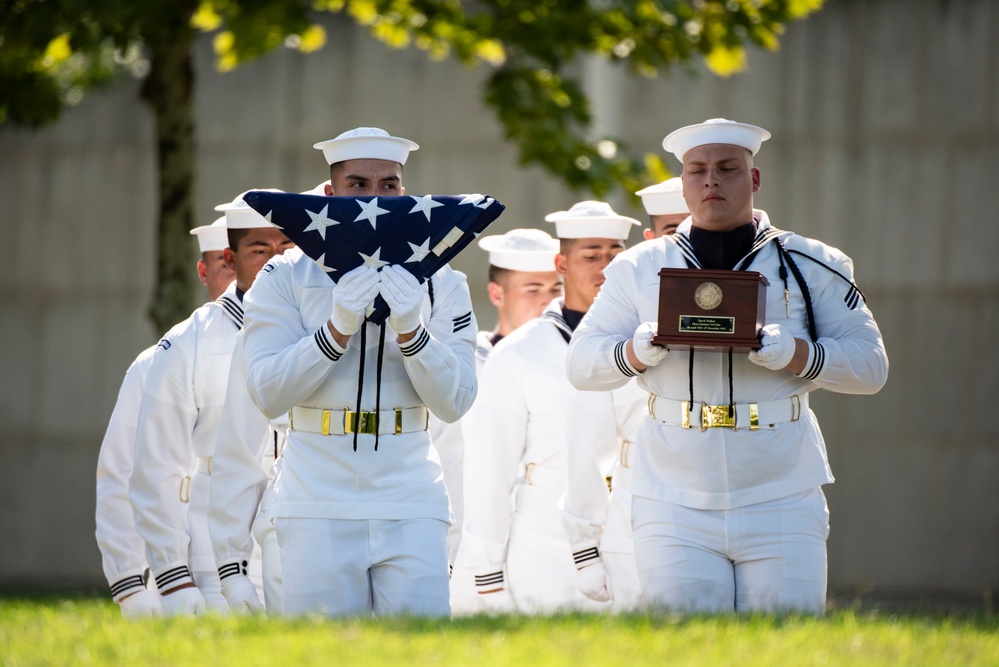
(540,569)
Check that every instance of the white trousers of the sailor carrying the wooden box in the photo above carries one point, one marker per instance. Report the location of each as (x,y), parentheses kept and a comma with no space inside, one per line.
(765,557)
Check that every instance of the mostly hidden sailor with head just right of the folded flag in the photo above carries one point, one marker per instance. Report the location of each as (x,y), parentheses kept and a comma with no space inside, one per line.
(522,282)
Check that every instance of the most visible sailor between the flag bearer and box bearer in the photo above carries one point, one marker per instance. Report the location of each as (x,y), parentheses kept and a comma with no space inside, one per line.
(515,469)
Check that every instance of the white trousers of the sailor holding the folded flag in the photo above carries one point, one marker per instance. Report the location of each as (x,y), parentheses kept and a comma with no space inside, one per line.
(342,567)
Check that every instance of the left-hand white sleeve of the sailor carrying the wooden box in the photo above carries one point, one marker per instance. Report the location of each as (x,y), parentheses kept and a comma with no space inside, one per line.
(596,358)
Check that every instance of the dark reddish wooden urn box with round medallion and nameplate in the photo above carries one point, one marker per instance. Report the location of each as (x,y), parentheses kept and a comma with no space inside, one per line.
(711,310)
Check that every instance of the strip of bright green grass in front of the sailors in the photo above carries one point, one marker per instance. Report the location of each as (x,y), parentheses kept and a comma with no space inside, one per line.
(90,631)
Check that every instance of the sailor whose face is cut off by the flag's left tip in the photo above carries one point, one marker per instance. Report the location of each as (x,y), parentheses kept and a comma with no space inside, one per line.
(178,424)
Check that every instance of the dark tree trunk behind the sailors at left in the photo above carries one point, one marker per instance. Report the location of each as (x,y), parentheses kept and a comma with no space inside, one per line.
(169,90)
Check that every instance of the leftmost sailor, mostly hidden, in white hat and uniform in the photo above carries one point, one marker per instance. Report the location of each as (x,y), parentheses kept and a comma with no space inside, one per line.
(122,549)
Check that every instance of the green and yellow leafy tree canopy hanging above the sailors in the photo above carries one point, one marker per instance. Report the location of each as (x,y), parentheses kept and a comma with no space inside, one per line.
(52,51)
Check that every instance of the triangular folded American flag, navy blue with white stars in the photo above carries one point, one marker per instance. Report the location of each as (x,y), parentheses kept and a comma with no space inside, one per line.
(421,233)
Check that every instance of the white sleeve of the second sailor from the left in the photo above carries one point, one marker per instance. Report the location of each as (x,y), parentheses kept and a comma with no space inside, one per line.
(163,455)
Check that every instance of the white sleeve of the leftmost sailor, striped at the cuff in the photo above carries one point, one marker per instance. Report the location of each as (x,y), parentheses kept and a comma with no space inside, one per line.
(122,549)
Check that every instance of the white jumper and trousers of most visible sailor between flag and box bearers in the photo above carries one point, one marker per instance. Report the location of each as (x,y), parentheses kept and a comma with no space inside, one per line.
(515,470)
